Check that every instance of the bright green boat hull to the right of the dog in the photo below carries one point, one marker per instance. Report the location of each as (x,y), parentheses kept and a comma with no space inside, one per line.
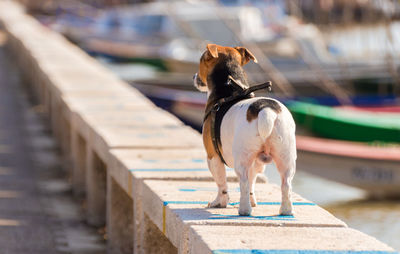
(346,124)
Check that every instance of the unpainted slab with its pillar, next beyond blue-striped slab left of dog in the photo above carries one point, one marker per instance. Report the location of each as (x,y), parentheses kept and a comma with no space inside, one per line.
(105,138)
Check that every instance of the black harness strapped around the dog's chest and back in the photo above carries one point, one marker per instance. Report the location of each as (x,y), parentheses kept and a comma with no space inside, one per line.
(222,106)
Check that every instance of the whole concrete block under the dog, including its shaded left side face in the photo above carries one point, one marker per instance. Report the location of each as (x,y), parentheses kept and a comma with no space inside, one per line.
(175,205)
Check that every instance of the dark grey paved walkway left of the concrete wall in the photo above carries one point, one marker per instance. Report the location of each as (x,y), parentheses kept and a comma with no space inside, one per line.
(37,211)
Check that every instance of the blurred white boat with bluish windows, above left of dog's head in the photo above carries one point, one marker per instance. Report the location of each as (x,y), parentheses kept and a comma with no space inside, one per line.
(141,32)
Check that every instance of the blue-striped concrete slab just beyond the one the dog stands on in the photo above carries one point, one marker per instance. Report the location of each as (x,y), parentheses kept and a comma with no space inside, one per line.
(125,165)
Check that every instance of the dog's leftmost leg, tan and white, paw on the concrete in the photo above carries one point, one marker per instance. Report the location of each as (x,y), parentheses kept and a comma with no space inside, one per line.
(218,172)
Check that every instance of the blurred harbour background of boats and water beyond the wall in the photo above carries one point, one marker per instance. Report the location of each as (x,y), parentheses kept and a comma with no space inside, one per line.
(333,53)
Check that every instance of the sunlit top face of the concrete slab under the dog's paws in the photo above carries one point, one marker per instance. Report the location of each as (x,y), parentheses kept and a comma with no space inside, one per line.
(188,199)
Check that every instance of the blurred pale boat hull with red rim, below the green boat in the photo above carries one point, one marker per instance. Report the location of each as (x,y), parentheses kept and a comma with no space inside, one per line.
(371,168)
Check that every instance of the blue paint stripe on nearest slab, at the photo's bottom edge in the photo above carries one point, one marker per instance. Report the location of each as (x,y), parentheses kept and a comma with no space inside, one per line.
(237,251)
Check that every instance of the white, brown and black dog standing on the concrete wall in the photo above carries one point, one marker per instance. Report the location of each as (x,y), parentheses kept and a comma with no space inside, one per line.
(253,131)
